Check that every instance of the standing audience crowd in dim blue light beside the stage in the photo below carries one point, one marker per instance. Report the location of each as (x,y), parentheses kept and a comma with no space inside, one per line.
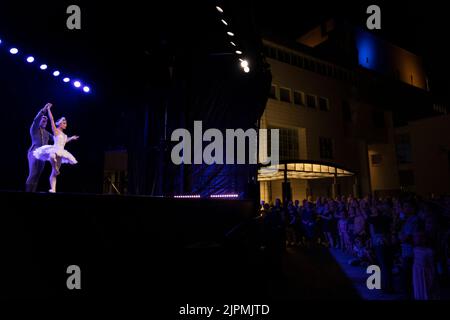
(407,236)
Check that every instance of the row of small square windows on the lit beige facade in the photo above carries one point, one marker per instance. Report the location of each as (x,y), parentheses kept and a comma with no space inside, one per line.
(299,98)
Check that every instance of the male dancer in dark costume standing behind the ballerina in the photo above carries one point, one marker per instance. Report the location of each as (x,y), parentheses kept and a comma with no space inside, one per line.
(39,137)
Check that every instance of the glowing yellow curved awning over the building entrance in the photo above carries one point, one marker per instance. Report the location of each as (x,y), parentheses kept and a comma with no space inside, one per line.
(302,170)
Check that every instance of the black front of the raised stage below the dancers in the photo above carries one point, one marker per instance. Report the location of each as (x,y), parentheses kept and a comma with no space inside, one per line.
(124,245)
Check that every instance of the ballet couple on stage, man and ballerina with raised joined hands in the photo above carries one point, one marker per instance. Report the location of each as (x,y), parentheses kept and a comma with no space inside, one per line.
(40,151)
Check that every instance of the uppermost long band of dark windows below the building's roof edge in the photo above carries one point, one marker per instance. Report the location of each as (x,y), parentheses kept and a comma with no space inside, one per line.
(299,61)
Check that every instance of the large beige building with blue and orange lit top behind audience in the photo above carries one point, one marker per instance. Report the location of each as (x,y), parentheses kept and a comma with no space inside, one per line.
(337,95)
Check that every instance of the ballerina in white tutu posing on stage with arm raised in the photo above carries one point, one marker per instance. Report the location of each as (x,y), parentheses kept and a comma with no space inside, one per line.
(56,154)
